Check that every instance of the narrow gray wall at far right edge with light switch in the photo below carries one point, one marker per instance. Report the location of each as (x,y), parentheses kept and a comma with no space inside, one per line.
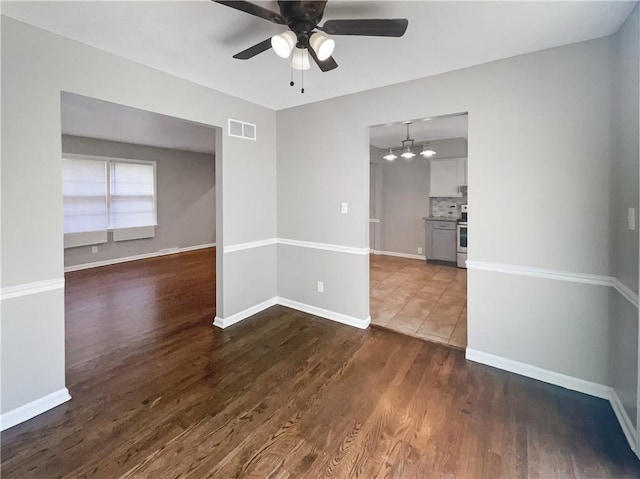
(624,186)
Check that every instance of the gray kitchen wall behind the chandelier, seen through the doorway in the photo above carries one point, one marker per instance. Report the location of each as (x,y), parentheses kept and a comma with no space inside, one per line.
(405,196)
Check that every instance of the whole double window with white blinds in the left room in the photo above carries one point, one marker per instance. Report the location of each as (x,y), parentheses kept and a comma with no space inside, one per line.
(104,194)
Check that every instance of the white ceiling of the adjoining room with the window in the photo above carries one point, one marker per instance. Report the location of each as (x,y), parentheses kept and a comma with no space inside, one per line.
(83,116)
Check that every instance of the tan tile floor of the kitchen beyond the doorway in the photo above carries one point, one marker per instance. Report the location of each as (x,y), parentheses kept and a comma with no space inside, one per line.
(419,299)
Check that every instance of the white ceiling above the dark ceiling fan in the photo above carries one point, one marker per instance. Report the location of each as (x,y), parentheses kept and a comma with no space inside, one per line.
(195,40)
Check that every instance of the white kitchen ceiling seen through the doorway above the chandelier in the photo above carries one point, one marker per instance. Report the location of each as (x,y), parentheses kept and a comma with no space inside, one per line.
(423,129)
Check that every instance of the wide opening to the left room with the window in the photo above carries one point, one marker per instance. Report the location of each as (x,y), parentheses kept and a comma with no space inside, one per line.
(140,214)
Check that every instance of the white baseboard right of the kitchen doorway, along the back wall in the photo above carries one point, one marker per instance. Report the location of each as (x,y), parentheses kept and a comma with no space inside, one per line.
(544,375)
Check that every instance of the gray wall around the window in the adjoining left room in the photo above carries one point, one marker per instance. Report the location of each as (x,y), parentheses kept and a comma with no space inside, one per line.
(185,199)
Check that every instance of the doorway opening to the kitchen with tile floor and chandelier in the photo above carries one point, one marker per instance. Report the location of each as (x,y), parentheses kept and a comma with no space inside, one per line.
(418,279)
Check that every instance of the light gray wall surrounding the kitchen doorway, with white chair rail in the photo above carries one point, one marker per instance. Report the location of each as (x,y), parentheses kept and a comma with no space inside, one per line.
(559,98)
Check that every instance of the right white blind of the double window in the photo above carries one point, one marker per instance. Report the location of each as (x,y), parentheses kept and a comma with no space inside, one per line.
(132,195)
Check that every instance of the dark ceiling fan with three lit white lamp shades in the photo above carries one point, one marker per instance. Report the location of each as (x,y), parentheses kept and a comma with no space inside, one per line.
(303,36)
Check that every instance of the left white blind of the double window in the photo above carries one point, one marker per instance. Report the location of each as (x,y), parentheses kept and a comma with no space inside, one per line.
(84,185)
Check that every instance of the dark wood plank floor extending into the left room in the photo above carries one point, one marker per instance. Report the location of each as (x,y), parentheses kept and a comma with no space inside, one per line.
(158,392)
